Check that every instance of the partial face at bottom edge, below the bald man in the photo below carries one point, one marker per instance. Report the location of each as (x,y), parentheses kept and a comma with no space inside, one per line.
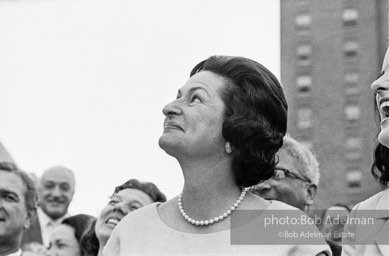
(63,242)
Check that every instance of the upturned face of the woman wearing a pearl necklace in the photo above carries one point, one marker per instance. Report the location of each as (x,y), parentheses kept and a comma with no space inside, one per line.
(193,123)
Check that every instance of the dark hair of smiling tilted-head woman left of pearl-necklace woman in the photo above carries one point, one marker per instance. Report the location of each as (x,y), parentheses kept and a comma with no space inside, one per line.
(147,187)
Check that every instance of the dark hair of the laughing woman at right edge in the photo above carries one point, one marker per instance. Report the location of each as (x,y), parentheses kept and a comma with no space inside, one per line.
(380,166)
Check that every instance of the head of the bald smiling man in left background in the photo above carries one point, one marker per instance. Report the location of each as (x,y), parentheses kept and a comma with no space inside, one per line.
(56,189)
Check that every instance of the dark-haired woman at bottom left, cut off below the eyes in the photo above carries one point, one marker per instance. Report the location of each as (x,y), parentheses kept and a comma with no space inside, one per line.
(67,238)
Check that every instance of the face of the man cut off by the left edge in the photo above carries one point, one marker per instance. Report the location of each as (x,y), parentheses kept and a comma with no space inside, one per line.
(14,216)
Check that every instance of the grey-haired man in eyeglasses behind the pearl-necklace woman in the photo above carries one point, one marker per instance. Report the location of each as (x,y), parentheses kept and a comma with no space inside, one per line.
(296,176)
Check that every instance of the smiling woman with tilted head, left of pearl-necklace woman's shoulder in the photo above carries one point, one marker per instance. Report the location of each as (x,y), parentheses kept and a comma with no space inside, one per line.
(126,198)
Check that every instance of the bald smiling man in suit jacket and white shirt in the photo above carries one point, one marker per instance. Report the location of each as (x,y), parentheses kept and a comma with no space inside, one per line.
(56,189)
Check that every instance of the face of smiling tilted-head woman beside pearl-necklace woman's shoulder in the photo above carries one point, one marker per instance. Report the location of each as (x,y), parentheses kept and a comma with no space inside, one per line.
(119,205)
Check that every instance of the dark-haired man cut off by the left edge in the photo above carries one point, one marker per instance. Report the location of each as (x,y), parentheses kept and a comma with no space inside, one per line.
(18,198)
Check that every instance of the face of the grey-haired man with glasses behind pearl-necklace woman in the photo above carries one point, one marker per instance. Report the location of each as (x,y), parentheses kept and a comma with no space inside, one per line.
(289,190)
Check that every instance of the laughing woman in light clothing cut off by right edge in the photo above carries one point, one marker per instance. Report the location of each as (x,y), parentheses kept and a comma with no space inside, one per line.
(374,239)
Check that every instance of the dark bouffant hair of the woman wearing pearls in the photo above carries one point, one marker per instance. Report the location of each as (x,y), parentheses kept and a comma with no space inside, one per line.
(255,117)
